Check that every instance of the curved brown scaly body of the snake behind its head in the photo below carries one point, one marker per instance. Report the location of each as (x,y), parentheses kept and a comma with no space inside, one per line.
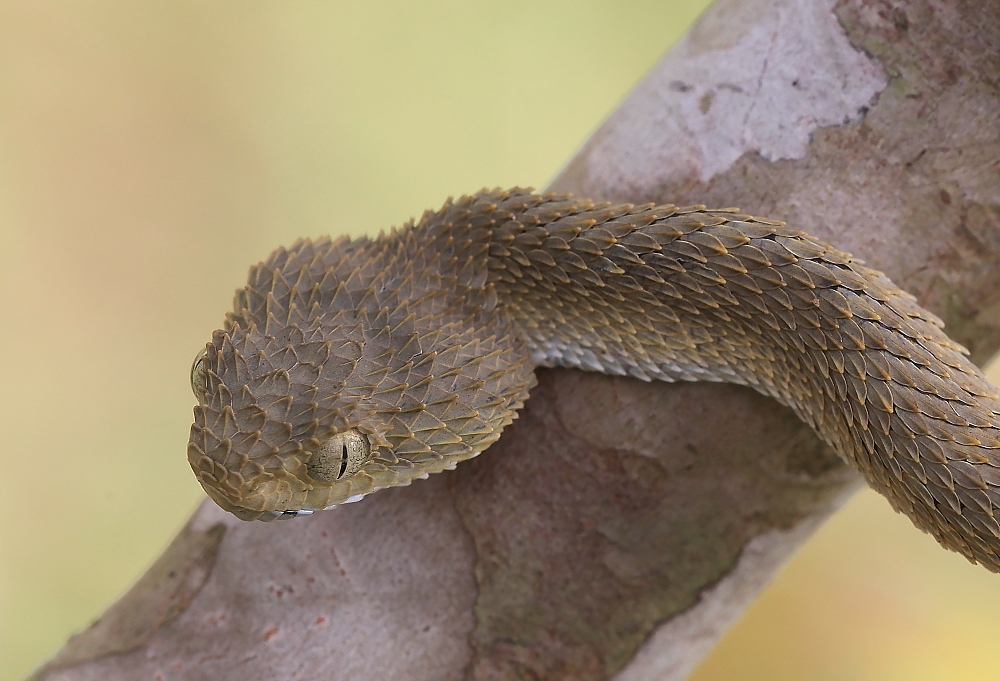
(669,293)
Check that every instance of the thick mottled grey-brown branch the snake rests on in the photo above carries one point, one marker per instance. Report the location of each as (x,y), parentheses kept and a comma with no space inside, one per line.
(872,124)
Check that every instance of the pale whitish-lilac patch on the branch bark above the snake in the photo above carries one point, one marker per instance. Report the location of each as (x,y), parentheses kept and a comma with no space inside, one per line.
(741,81)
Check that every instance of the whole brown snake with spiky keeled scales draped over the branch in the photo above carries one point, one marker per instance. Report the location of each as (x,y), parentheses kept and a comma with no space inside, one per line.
(350,365)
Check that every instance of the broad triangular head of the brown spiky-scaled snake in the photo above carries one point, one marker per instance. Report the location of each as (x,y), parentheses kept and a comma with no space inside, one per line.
(308,399)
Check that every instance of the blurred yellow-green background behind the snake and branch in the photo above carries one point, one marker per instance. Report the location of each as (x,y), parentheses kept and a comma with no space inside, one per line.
(149,152)
